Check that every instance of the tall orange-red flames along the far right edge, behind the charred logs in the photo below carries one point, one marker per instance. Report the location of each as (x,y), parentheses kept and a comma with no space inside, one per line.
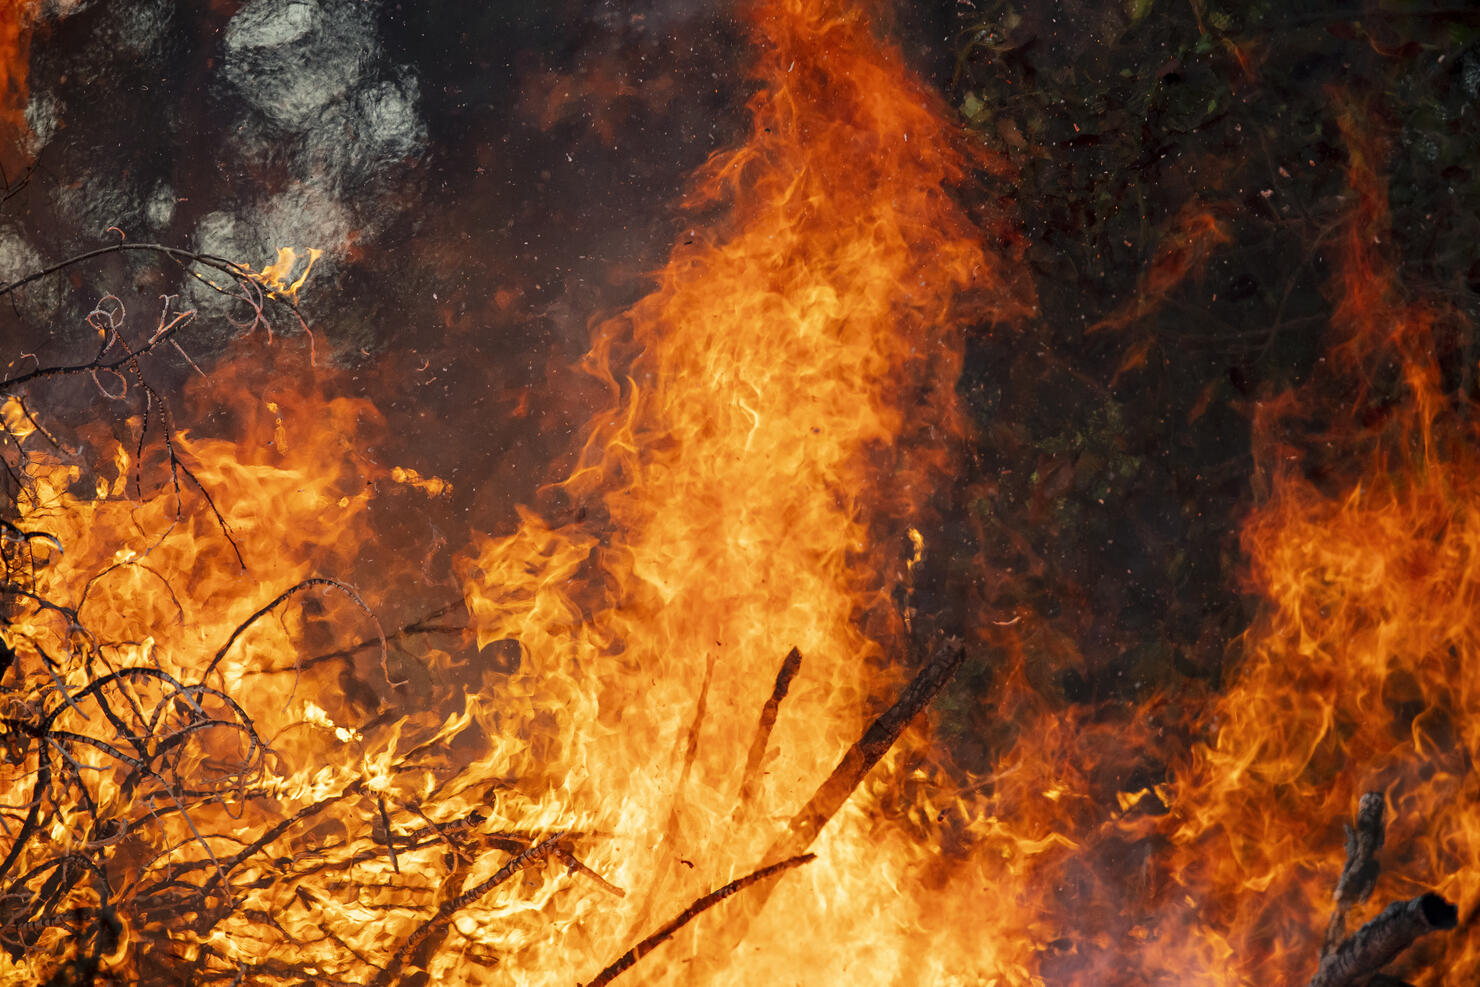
(1355,676)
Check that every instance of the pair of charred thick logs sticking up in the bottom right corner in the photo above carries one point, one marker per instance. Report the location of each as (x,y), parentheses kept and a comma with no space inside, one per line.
(1358,960)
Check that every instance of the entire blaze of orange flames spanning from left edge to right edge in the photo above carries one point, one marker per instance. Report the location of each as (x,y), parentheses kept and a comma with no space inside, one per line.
(684,636)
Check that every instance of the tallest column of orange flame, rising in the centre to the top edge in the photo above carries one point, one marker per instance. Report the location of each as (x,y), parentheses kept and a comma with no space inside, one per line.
(781,422)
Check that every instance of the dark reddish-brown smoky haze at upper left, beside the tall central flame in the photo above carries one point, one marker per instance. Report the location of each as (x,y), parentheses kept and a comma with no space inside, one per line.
(486,183)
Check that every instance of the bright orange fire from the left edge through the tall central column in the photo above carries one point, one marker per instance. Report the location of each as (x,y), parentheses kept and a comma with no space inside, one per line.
(781,411)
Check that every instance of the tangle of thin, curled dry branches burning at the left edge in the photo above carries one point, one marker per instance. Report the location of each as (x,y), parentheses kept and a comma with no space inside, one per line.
(169,797)
